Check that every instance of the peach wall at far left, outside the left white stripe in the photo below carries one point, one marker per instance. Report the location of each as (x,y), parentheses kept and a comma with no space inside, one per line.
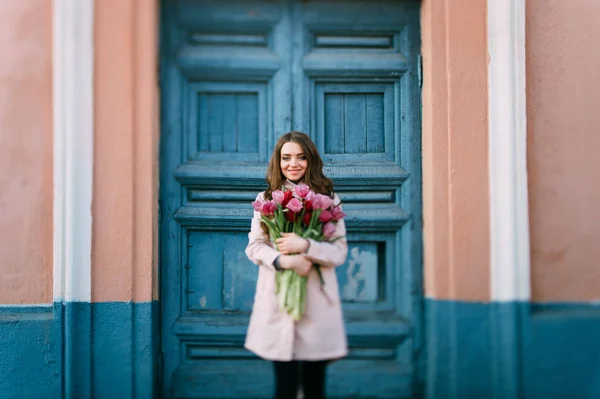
(26,152)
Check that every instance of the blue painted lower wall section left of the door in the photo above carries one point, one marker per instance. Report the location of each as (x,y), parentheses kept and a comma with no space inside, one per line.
(79,350)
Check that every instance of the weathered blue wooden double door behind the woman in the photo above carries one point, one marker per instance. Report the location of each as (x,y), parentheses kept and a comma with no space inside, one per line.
(234,76)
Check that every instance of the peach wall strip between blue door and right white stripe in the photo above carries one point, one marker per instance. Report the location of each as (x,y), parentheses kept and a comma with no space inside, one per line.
(455,160)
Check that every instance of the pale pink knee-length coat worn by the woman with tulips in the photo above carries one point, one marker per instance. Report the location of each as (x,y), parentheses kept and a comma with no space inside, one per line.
(320,333)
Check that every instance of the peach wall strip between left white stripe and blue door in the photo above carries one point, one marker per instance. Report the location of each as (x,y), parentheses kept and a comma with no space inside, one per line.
(124,237)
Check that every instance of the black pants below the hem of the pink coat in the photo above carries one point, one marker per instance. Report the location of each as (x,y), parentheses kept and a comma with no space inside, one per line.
(290,375)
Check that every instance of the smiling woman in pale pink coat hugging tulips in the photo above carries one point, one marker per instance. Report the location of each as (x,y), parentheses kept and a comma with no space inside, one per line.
(300,350)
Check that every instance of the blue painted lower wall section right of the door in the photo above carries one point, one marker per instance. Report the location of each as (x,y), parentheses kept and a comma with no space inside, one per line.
(512,350)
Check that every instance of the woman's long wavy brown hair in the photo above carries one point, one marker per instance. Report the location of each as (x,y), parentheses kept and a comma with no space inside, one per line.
(313,177)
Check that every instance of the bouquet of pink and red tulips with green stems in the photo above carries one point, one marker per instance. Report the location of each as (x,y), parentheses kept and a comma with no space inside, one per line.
(307,214)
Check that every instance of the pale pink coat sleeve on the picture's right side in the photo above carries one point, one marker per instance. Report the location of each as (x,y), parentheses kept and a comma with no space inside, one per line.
(330,254)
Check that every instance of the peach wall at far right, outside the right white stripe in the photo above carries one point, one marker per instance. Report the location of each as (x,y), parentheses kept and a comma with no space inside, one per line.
(563,100)
